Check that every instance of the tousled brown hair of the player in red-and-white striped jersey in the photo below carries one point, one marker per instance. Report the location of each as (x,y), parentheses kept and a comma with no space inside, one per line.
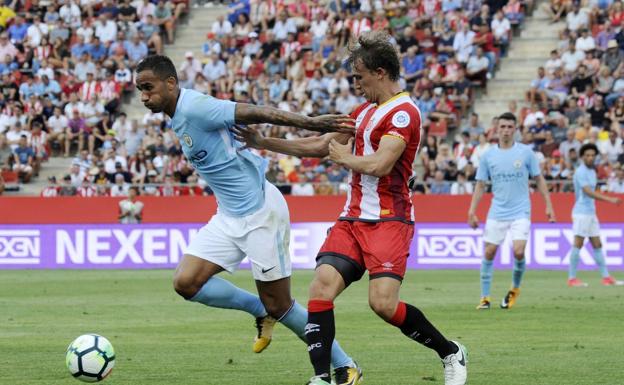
(375,50)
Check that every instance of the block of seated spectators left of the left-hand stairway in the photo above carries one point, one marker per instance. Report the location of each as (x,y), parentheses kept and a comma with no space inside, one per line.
(65,67)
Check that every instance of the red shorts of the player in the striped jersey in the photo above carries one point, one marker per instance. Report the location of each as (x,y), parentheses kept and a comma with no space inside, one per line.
(381,248)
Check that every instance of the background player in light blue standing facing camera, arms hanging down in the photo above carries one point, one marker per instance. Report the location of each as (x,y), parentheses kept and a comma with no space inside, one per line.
(509,166)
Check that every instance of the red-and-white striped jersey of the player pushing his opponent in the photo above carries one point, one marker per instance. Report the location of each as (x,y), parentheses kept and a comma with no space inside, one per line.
(387,198)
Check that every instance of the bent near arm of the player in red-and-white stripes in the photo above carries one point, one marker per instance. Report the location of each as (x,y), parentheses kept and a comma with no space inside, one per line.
(379,163)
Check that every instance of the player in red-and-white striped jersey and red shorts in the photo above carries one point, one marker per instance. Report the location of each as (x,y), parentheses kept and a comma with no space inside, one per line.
(376,227)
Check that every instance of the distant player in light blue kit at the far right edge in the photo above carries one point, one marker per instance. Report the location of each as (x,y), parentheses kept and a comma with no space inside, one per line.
(584,220)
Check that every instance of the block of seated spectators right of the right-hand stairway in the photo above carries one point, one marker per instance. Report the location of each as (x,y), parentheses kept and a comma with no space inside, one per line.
(577,96)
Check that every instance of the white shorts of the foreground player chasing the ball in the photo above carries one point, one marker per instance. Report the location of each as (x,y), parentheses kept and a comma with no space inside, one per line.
(263,237)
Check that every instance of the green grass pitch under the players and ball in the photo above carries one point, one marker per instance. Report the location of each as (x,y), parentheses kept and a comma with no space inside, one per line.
(554,335)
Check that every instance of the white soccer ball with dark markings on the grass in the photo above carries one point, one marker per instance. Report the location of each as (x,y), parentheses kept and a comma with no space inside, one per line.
(90,358)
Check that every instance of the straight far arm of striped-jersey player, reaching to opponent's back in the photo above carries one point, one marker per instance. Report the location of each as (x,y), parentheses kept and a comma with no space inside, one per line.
(311,147)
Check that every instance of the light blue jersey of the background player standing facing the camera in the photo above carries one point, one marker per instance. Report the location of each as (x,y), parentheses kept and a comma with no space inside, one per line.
(509,170)
